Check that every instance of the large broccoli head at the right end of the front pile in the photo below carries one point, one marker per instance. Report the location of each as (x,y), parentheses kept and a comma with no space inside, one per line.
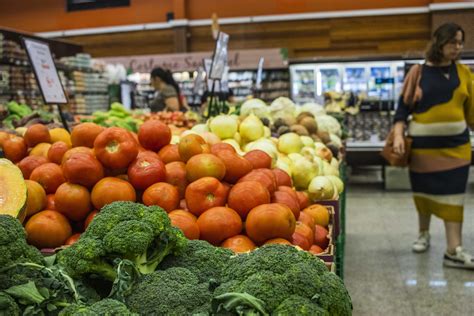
(273,273)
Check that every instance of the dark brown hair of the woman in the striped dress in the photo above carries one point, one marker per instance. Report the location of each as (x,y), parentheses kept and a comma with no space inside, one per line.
(441,37)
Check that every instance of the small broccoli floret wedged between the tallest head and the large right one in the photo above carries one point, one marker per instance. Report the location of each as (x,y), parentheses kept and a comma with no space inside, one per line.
(200,257)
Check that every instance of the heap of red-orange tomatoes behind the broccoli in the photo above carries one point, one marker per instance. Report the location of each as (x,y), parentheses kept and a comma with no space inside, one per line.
(209,191)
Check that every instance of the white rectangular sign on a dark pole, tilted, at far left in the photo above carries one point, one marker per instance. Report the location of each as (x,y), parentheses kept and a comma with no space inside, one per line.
(45,71)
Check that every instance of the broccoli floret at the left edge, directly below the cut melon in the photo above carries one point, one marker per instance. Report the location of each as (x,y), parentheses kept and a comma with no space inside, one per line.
(13,245)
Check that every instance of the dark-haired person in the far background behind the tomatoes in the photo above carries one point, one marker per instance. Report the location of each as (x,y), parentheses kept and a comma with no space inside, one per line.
(168,95)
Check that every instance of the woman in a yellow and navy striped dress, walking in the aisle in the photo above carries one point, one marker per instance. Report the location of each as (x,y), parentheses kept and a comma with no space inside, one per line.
(442,113)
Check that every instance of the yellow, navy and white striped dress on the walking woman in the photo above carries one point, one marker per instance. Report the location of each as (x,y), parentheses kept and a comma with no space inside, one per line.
(441,150)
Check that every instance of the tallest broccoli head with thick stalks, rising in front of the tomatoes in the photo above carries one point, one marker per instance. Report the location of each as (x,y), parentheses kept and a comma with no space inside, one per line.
(123,230)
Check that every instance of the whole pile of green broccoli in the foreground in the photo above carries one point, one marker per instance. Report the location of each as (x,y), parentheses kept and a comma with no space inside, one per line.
(131,261)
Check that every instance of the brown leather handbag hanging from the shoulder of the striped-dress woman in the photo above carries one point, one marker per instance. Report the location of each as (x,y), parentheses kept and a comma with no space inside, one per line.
(388,152)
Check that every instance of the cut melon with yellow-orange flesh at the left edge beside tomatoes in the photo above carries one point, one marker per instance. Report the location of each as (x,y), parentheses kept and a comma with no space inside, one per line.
(13,191)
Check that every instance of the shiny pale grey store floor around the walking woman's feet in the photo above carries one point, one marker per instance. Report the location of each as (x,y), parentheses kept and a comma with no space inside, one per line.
(383,276)
